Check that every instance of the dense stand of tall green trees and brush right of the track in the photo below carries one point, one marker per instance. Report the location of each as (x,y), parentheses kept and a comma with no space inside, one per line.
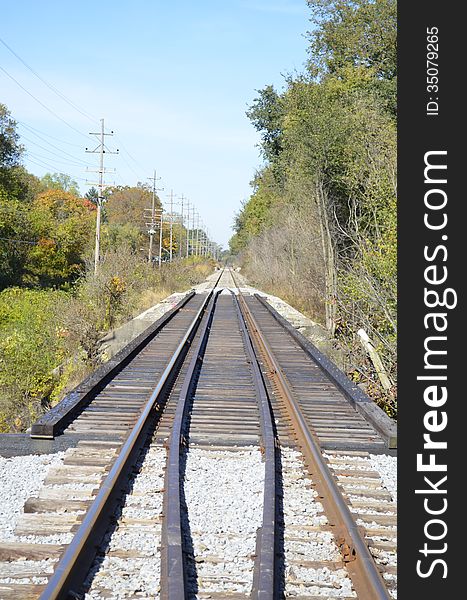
(320,225)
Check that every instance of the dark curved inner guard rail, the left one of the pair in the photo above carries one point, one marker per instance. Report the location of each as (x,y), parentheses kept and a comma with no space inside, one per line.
(173,573)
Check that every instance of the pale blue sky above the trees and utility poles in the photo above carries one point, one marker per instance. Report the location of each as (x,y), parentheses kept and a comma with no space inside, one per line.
(172,79)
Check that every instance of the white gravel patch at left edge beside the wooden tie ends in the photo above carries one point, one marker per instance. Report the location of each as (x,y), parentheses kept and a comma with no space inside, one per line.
(21,477)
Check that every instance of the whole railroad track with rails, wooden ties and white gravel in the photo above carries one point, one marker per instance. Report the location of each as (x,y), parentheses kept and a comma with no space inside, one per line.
(247,470)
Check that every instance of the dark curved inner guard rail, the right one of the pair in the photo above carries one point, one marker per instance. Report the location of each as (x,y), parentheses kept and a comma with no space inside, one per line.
(264,580)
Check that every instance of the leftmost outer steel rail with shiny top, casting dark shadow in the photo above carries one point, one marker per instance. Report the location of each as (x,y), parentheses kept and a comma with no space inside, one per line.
(79,554)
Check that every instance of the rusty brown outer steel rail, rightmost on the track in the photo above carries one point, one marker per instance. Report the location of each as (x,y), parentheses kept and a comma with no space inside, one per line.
(367,580)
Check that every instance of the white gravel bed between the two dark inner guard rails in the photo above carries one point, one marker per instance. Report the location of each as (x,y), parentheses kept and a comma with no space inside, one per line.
(224,498)
